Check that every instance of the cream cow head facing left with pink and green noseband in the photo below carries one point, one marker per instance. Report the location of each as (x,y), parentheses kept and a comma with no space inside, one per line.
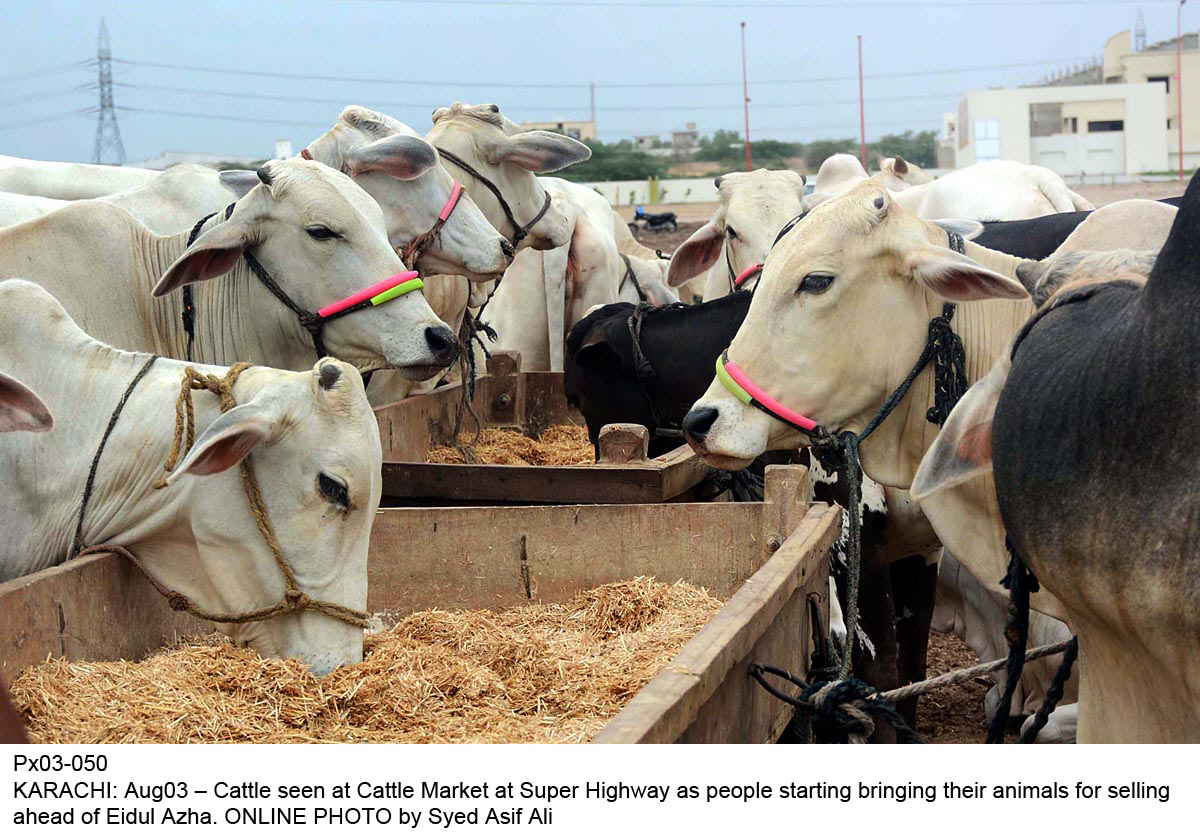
(838,321)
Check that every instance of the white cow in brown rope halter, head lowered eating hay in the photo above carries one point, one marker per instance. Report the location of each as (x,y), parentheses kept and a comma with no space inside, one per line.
(316,455)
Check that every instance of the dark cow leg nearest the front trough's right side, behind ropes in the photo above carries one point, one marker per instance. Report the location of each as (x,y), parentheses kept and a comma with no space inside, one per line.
(877,617)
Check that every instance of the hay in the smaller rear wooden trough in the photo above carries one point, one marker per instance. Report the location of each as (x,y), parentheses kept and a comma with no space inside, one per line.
(557,445)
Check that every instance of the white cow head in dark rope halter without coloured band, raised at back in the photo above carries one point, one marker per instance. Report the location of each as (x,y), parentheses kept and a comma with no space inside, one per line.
(509,159)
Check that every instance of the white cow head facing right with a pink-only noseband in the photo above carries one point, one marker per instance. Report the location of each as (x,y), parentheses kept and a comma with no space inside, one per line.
(400,171)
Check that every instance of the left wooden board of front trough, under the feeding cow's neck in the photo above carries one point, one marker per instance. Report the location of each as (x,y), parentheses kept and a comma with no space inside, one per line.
(98,607)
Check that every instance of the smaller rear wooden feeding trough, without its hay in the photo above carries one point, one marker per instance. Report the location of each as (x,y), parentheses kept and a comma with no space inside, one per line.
(530,402)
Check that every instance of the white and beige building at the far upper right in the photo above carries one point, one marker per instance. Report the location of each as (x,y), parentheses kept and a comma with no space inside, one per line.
(1117,117)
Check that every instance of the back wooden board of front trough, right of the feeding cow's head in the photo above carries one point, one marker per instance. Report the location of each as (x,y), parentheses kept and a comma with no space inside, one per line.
(494,558)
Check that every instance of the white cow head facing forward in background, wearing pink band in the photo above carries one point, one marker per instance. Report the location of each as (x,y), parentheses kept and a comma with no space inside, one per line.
(755,207)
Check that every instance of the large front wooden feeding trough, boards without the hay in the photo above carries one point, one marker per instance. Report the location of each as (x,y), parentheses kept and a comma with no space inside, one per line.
(770,561)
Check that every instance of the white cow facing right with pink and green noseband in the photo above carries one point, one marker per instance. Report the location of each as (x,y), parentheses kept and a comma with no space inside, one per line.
(317,234)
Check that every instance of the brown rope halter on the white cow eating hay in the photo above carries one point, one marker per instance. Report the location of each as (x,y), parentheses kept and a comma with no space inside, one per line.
(295,599)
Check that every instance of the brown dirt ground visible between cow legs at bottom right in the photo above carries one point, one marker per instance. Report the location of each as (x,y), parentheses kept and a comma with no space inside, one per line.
(953,715)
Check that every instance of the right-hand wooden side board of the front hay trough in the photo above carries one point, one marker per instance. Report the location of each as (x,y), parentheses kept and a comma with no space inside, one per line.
(706,694)
